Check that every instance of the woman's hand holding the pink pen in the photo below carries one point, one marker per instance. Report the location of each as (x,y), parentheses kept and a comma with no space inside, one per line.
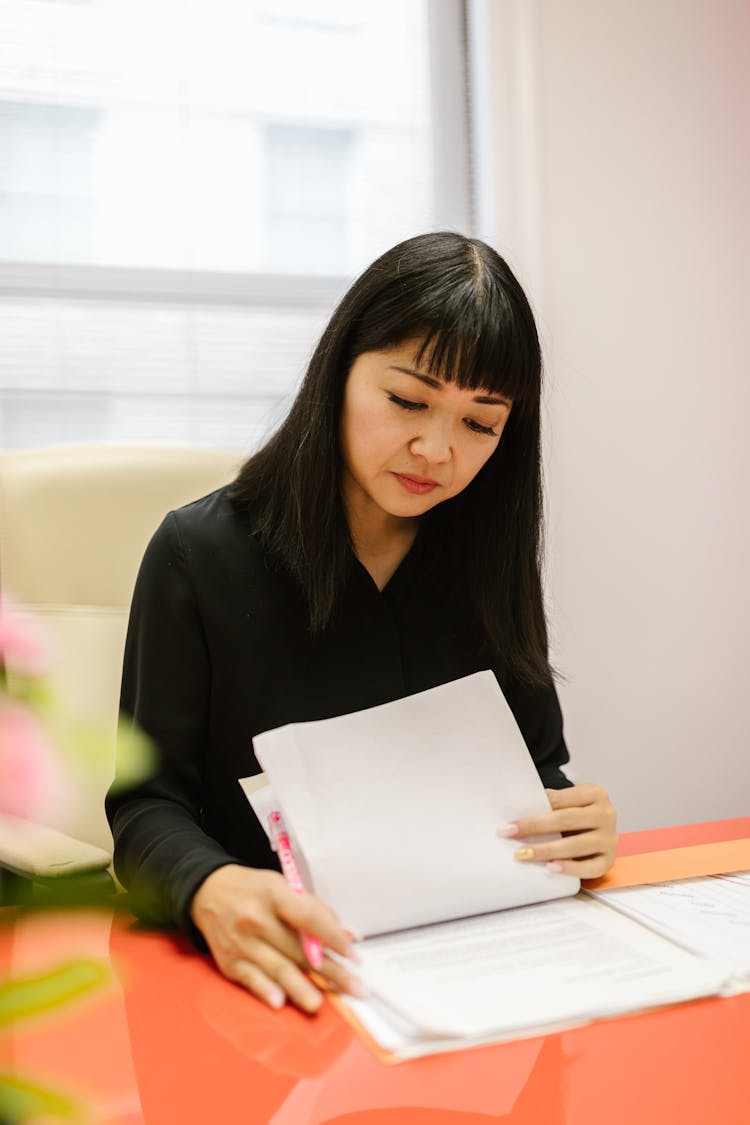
(252,923)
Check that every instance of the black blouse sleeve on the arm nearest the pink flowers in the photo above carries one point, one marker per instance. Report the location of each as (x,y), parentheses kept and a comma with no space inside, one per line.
(161,852)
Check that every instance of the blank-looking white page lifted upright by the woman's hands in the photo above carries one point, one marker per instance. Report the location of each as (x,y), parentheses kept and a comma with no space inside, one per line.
(395,809)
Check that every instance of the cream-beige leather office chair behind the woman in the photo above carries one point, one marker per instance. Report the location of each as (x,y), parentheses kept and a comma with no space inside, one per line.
(75,523)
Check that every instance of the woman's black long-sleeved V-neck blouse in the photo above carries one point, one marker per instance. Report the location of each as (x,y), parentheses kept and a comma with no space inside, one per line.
(219,651)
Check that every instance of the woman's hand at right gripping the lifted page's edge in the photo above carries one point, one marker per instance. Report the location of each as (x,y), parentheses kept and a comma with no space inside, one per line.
(586,817)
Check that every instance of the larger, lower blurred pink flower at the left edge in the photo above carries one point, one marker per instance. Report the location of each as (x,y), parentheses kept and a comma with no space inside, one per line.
(33,784)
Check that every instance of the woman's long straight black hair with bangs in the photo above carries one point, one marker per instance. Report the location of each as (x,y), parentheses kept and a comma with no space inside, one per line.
(462,300)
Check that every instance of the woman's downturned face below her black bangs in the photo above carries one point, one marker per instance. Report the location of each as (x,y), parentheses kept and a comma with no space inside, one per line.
(409,440)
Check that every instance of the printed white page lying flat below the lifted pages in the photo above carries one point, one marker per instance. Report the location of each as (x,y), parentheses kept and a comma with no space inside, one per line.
(537,967)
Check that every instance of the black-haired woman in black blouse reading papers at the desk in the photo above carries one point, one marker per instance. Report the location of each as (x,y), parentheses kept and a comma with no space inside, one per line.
(385,541)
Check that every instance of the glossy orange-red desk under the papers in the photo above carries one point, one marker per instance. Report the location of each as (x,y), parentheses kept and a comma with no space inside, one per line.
(169,1042)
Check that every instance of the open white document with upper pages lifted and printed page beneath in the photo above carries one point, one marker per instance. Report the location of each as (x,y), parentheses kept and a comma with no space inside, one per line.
(393,815)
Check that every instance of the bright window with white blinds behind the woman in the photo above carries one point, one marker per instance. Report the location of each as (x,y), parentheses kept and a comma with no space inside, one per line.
(187,190)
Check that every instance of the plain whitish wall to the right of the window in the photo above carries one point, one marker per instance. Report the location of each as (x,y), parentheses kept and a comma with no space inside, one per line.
(620,188)
